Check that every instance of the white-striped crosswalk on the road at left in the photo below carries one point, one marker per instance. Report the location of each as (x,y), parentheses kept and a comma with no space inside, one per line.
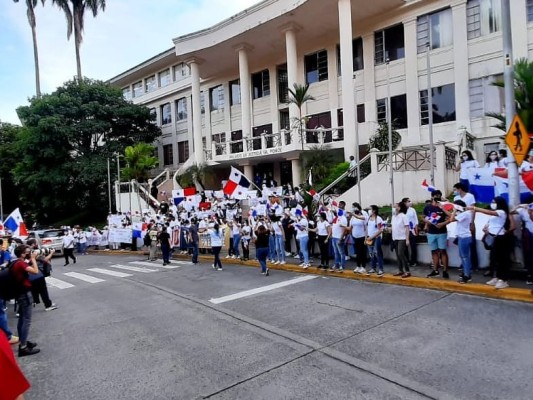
(71,279)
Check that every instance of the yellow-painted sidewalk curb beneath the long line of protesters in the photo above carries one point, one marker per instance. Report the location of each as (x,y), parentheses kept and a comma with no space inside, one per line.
(518,290)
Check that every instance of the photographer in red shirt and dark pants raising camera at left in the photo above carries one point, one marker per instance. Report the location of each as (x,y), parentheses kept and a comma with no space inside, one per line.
(20,271)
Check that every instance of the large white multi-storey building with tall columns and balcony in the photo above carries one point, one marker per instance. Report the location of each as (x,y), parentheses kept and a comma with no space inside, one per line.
(221,92)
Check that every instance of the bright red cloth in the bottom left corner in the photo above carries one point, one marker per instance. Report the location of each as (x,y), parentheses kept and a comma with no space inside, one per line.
(12,382)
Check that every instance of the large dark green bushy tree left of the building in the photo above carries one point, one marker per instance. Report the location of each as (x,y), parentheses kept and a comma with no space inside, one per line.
(66,140)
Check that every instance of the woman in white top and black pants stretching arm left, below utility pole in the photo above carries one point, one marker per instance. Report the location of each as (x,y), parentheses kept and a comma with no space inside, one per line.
(499,226)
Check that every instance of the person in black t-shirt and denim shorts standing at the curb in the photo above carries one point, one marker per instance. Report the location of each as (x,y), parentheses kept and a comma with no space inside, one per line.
(437,234)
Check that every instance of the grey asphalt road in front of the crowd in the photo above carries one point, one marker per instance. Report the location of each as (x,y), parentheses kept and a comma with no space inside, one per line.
(175,334)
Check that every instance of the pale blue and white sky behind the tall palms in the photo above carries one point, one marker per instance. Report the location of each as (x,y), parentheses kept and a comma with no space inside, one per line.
(127,33)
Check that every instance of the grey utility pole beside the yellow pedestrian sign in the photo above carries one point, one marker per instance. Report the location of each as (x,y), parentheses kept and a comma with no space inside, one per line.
(510,108)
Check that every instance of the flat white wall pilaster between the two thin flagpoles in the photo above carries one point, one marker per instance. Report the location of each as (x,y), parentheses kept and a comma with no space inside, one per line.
(411,83)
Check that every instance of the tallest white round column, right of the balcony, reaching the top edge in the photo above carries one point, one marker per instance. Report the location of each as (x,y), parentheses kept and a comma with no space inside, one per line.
(351,140)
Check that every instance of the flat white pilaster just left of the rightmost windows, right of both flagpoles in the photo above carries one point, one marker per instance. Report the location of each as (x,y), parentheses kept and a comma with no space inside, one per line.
(460,44)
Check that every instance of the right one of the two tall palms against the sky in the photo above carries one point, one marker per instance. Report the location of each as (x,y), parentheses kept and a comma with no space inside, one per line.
(75,20)
